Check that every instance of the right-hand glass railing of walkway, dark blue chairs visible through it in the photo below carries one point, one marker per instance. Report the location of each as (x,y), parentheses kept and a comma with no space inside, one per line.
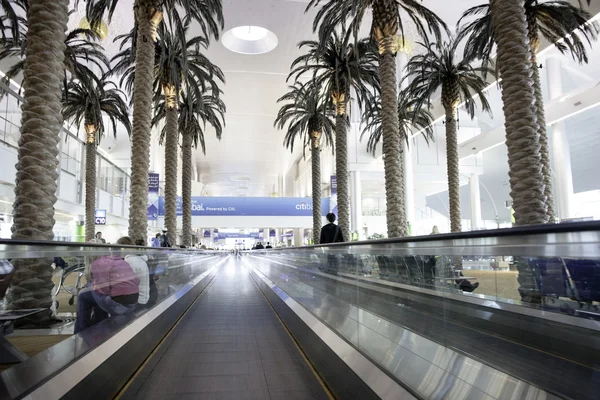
(488,313)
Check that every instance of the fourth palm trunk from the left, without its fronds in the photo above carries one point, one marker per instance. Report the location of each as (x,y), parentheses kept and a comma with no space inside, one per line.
(171,152)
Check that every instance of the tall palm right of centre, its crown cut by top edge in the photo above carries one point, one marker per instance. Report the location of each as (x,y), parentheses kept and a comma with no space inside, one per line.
(388,21)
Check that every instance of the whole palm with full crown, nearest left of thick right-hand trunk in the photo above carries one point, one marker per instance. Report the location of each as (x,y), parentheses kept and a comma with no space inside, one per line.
(438,68)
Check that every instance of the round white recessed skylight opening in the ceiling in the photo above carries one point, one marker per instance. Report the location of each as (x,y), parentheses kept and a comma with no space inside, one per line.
(250,39)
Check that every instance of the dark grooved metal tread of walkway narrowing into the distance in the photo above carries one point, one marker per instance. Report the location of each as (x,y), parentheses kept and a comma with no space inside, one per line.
(230,345)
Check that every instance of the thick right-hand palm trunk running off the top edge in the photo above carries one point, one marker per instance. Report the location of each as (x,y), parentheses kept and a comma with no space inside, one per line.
(522,137)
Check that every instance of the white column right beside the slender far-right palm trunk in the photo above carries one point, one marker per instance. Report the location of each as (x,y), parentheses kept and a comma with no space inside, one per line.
(561,154)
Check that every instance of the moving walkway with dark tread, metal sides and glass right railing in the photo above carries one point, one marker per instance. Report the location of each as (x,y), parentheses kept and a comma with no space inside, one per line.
(387,319)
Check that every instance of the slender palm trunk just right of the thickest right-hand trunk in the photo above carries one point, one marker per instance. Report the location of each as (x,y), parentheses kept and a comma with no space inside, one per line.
(534,43)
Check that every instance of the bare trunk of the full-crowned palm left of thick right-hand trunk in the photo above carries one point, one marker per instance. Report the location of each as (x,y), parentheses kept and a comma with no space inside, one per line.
(450,99)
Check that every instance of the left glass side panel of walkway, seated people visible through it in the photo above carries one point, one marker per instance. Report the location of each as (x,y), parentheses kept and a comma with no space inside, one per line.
(58,290)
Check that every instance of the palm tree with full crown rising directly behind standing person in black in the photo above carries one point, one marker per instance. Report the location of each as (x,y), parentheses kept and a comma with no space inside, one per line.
(339,66)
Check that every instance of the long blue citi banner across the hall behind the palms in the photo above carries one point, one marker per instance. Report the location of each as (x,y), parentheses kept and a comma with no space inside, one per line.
(248,206)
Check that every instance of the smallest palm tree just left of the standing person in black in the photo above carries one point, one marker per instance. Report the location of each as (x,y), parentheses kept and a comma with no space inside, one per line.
(306,116)
